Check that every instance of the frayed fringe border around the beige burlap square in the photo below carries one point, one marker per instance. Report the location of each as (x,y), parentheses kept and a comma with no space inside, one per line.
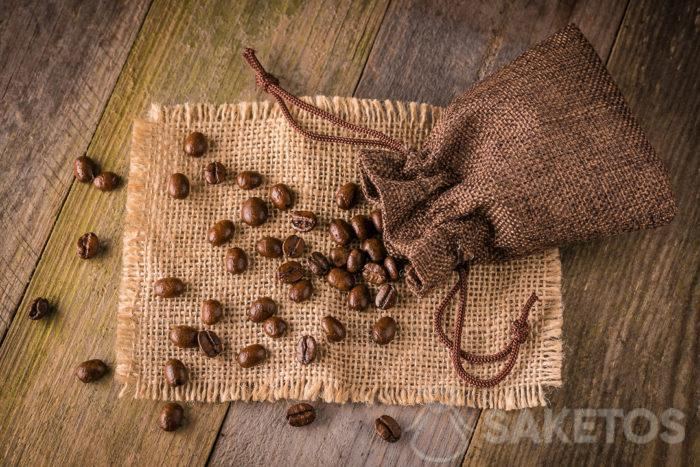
(504,397)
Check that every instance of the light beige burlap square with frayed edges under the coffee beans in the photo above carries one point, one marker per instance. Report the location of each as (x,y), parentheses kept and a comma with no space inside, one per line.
(166,237)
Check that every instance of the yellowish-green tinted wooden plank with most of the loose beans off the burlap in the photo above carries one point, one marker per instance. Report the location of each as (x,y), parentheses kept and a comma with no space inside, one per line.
(186,51)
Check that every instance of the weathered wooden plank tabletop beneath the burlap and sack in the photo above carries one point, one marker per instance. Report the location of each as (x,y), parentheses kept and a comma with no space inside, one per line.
(73,76)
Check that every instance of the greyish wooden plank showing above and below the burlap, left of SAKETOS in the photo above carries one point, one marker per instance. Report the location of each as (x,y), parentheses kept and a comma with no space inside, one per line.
(413,58)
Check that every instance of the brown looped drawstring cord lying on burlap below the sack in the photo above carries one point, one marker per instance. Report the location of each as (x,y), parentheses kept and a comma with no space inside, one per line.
(519,333)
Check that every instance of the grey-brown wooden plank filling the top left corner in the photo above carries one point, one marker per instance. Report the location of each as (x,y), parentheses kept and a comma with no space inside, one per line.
(59,62)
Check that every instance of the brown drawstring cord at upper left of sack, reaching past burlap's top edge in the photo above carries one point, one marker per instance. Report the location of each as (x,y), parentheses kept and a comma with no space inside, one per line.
(270,84)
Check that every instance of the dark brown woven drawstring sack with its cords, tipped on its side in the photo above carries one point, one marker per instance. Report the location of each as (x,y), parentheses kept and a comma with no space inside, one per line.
(543,153)
